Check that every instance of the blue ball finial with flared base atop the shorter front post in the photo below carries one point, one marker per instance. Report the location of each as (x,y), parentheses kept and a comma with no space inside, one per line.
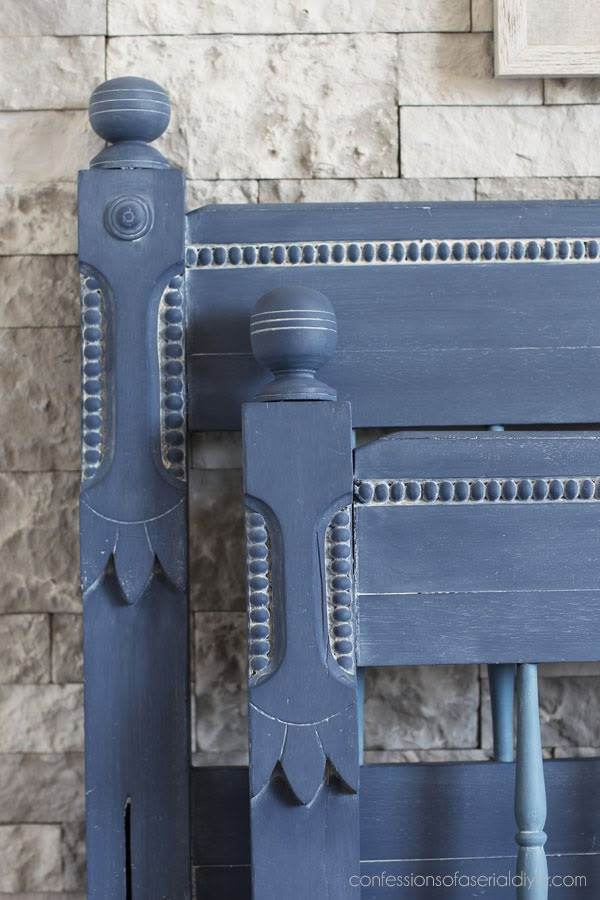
(293,332)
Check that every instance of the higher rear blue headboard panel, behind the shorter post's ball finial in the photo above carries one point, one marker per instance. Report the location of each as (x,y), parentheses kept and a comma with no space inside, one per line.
(424,343)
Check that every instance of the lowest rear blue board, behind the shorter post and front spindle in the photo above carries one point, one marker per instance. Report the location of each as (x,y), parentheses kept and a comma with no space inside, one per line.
(426,819)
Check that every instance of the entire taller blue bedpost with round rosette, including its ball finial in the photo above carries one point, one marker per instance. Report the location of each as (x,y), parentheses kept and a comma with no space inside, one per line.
(133,507)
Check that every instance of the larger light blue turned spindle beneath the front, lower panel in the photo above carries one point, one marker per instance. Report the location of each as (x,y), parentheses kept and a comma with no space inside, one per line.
(530,790)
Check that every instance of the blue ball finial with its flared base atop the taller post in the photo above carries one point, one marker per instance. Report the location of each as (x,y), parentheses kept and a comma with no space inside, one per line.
(129,112)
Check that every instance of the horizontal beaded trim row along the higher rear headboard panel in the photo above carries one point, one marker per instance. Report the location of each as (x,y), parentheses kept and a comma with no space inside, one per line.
(224,256)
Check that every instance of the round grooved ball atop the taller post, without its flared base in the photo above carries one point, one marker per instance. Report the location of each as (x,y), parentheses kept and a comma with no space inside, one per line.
(129,109)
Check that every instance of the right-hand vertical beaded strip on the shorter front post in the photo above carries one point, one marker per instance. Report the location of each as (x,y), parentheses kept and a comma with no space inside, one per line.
(338,555)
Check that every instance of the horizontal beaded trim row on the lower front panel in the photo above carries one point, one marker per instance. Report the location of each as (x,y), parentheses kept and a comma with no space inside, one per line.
(429,492)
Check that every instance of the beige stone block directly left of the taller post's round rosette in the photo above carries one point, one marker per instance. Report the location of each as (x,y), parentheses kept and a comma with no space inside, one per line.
(38,218)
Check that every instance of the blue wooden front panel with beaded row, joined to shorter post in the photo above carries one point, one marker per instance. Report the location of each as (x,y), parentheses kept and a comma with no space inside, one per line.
(484,576)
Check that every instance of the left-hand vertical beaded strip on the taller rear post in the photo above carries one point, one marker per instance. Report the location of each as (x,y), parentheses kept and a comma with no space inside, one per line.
(93,344)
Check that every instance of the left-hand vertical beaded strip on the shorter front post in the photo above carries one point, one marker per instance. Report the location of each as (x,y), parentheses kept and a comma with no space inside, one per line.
(260,595)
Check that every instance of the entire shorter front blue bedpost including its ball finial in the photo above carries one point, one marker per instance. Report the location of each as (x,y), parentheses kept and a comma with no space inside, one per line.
(304,768)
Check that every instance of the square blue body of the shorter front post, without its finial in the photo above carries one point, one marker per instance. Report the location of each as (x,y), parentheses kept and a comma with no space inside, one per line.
(302,702)
